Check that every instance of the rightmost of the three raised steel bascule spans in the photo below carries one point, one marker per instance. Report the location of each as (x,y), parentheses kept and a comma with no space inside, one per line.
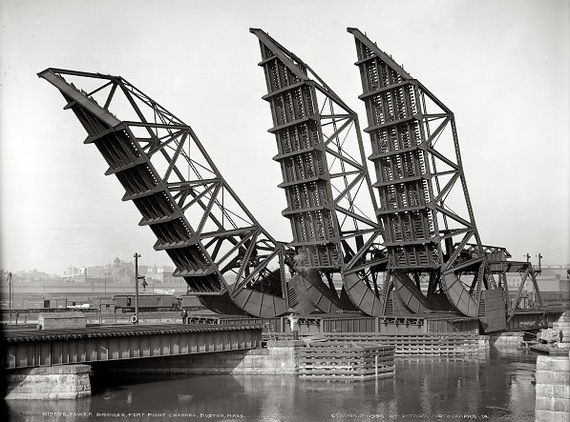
(424,202)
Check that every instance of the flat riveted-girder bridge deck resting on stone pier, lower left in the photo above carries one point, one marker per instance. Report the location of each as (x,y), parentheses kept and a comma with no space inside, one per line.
(27,348)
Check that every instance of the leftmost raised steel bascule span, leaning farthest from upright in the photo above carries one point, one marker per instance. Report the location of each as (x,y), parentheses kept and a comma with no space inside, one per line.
(168,175)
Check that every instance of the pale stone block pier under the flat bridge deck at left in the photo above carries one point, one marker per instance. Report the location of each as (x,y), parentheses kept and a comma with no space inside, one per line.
(49,383)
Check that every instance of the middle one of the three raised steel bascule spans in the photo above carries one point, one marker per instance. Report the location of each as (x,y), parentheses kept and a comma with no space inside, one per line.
(326,183)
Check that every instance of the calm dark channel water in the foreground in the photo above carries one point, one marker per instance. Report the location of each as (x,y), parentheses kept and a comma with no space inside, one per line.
(500,388)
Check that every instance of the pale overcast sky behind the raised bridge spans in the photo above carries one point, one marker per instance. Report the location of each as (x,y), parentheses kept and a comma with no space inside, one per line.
(501,66)
